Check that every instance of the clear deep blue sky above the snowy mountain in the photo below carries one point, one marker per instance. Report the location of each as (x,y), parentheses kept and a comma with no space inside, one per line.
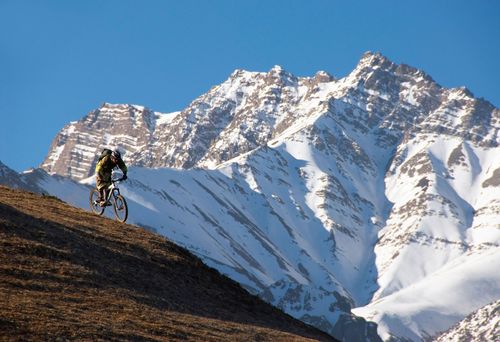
(61,59)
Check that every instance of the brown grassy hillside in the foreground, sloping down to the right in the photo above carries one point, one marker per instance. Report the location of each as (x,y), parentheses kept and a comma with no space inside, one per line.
(68,274)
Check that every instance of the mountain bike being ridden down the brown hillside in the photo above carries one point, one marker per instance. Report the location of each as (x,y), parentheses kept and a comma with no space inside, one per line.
(113,198)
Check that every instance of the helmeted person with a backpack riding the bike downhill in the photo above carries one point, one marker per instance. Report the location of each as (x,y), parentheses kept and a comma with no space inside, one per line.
(103,172)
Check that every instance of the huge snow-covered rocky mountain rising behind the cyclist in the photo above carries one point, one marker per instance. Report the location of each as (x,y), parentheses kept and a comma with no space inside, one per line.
(376,192)
